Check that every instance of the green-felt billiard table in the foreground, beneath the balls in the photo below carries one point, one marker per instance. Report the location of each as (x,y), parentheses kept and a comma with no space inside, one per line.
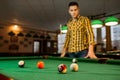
(89,69)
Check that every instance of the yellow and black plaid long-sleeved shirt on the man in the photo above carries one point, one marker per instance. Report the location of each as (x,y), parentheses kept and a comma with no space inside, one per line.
(80,34)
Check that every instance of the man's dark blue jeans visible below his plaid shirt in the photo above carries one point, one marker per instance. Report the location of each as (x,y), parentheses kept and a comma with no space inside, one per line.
(80,54)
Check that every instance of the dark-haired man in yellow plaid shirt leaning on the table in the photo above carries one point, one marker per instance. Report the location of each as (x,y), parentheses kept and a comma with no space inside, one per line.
(79,38)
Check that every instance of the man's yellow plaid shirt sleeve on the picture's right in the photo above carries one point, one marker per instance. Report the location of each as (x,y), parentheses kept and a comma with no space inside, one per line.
(90,33)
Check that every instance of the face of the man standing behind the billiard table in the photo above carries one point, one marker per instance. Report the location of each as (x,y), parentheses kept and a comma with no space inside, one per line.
(74,11)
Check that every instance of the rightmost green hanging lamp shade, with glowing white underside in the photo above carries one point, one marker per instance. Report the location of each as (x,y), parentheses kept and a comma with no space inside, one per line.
(110,21)
